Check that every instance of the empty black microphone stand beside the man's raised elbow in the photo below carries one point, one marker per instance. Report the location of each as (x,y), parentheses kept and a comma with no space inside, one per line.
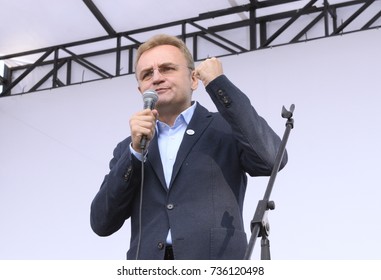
(260,226)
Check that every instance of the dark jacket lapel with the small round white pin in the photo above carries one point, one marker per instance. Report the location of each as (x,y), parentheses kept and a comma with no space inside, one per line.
(199,122)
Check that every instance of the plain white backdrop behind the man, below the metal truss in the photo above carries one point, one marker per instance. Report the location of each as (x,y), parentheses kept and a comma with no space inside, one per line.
(55,147)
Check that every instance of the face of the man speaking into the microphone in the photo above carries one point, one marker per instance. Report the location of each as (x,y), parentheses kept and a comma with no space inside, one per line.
(164,69)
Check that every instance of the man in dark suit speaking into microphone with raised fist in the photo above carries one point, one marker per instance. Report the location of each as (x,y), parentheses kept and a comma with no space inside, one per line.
(184,188)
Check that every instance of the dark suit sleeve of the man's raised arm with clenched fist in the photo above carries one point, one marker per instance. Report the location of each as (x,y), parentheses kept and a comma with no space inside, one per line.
(257,142)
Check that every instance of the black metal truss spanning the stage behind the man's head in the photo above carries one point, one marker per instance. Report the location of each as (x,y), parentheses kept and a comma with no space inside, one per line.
(262,30)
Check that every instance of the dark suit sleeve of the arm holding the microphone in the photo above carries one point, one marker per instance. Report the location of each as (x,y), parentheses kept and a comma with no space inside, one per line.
(113,202)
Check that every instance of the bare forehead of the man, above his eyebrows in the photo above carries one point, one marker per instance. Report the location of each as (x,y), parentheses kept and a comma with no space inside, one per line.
(159,55)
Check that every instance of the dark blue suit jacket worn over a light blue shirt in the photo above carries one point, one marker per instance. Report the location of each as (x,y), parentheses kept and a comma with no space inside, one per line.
(203,204)
